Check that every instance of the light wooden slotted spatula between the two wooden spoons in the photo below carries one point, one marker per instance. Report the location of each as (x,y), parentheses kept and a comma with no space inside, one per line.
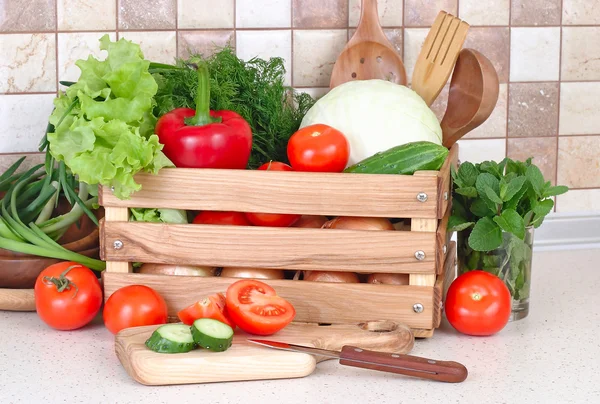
(438,56)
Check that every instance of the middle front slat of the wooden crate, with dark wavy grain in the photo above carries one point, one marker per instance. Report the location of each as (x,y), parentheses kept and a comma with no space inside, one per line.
(263,247)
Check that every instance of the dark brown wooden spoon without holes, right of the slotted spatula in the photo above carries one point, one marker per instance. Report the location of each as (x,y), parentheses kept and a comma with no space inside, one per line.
(473,95)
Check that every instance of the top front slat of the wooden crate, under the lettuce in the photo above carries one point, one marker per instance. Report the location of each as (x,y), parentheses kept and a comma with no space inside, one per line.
(333,194)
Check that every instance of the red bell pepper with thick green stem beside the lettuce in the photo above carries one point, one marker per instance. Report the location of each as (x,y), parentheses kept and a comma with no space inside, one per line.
(205,138)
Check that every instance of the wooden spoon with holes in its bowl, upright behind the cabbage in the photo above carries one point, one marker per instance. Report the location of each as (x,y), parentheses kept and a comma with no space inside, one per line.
(368,54)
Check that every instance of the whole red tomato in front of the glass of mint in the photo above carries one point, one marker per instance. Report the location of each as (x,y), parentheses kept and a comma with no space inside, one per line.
(478,303)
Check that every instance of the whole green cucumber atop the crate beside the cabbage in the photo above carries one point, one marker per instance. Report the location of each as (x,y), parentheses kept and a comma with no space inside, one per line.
(403,159)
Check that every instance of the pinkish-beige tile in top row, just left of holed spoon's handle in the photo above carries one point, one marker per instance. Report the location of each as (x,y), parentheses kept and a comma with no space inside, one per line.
(320,13)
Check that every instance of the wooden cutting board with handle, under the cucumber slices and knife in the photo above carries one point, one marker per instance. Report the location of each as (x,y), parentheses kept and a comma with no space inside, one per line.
(248,361)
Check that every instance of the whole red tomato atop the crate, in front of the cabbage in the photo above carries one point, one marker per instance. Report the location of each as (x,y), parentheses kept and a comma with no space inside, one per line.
(318,147)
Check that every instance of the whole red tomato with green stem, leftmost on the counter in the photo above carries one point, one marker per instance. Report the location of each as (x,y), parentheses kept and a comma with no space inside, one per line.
(67,295)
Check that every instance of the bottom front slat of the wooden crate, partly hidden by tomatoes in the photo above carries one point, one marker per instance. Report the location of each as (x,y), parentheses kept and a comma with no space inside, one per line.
(320,302)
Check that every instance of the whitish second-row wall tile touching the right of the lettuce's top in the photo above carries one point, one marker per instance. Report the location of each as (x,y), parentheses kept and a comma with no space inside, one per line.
(160,46)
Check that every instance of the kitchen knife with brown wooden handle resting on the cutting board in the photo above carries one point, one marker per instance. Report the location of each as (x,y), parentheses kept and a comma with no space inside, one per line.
(443,371)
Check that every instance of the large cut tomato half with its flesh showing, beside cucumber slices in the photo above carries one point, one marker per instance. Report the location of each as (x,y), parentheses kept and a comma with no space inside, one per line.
(255,307)
